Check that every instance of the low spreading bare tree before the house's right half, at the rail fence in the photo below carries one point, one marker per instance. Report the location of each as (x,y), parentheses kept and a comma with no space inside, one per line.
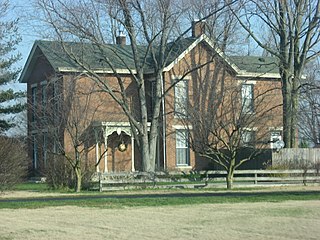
(230,119)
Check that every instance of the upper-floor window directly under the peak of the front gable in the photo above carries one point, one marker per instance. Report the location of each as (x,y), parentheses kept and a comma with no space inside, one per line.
(181,98)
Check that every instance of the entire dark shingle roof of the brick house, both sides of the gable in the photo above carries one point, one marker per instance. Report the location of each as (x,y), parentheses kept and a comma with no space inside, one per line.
(121,57)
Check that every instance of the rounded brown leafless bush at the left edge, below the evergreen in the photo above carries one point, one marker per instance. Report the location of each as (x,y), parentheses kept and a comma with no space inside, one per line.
(13,162)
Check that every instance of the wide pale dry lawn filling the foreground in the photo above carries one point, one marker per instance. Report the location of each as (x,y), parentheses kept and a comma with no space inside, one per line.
(285,220)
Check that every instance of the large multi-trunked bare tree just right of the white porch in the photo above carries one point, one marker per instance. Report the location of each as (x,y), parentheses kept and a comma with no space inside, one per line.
(145,22)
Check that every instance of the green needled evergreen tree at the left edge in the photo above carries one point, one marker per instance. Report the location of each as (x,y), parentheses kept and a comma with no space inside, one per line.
(9,38)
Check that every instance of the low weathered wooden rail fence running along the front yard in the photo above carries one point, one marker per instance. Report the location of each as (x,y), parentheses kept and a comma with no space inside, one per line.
(201,179)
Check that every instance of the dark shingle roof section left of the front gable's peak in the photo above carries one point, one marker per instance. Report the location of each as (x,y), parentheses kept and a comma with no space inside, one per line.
(121,57)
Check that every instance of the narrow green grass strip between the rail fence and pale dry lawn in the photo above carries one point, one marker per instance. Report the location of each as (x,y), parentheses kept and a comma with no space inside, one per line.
(121,200)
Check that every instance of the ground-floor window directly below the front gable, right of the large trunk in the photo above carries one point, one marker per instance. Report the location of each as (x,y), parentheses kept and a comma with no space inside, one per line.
(182,147)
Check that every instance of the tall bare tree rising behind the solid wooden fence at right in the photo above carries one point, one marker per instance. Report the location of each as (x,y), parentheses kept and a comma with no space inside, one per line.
(294,27)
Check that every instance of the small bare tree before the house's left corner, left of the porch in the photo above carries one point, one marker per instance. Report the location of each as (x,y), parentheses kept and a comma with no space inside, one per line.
(66,115)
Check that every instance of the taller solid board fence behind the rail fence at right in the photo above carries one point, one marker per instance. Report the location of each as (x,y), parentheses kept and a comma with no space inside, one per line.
(296,157)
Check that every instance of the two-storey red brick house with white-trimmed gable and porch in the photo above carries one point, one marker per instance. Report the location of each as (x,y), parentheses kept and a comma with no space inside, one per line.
(49,72)
